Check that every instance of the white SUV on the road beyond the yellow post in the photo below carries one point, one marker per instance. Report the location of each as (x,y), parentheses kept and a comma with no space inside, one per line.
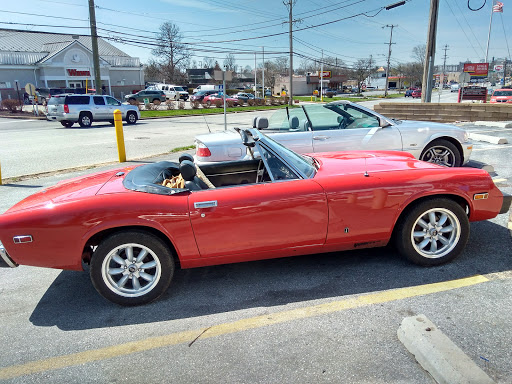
(84,109)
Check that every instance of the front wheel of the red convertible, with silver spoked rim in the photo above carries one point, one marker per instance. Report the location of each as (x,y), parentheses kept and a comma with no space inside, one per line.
(433,232)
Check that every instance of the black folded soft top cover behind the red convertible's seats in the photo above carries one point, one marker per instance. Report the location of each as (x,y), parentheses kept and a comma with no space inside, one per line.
(149,177)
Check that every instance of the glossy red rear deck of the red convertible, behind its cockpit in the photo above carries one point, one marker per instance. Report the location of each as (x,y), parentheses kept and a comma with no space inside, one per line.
(72,189)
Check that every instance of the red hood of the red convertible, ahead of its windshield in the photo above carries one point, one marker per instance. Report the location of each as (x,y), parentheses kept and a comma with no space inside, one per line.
(360,161)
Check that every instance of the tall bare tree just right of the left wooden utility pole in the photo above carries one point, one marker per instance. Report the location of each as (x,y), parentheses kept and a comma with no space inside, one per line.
(172,53)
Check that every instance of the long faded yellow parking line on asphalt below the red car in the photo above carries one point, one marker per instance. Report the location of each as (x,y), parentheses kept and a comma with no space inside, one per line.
(233,327)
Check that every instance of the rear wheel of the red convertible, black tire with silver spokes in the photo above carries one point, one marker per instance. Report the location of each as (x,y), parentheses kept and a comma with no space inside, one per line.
(110,265)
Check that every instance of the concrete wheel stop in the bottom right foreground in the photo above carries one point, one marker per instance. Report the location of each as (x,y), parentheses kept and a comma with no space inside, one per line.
(437,354)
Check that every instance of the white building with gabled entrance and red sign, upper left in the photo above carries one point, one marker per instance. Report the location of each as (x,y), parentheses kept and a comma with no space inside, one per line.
(56,60)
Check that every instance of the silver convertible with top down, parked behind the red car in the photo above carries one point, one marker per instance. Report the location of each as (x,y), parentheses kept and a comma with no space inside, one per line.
(340,126)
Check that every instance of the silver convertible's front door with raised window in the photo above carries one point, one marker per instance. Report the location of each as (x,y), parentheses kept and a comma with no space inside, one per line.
(342,127)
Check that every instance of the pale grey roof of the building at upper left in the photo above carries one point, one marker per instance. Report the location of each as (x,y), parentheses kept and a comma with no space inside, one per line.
(12,40)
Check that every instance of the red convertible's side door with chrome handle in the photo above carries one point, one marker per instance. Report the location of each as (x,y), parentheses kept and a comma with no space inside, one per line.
(282,213)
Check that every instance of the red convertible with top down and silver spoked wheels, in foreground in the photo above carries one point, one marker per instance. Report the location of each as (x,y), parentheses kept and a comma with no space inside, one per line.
(135,225)
